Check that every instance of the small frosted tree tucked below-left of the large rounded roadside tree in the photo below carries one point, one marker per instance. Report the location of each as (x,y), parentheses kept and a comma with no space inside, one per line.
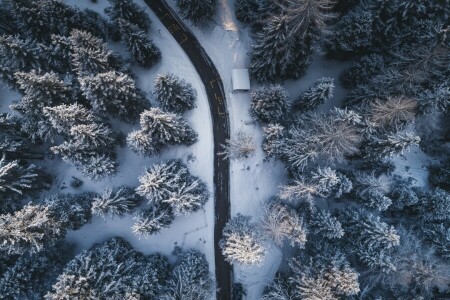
(152,220)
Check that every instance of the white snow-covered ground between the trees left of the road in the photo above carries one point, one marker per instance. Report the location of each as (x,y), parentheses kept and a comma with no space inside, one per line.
(192,231)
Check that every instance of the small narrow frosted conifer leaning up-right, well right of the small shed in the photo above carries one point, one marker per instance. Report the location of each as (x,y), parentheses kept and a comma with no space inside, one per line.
(315,95)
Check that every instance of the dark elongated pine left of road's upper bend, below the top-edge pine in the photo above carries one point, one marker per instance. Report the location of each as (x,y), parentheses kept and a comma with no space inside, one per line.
(142,49)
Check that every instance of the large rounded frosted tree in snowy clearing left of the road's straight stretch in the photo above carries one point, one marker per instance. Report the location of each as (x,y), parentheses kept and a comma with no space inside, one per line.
(171,183)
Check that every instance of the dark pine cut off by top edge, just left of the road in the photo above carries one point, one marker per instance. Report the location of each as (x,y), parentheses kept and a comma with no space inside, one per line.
(128,11)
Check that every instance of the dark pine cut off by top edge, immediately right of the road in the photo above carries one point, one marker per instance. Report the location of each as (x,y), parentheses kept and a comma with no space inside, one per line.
(197,11)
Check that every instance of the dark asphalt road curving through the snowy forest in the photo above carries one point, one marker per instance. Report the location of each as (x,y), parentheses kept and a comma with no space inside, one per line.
(221,130)
